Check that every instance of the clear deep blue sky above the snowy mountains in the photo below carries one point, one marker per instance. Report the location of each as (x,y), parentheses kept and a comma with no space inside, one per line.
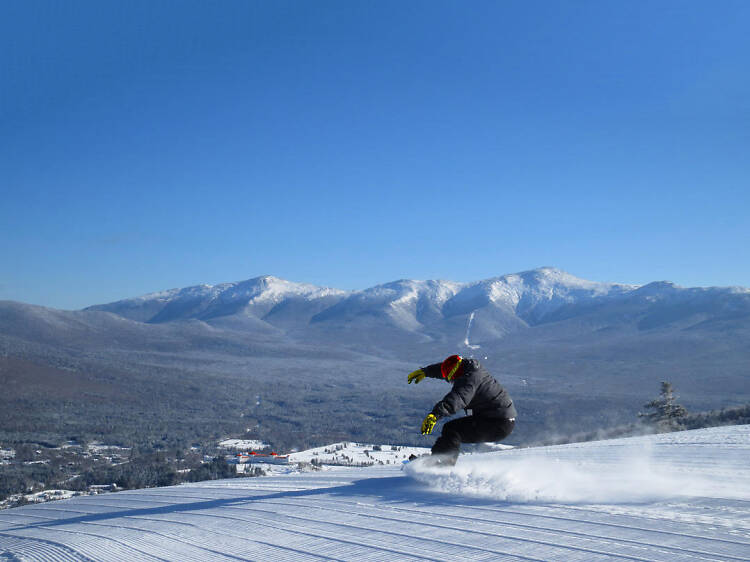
(151,145)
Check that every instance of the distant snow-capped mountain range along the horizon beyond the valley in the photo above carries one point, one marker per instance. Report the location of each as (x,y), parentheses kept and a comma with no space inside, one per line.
(406,314)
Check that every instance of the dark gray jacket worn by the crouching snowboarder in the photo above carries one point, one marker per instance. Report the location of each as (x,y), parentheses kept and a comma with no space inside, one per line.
(475,390)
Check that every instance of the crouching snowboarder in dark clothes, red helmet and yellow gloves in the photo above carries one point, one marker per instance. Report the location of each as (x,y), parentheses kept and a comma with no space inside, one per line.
(492,412)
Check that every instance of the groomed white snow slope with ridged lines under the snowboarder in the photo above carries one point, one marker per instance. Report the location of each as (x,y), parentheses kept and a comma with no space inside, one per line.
(679,496)
